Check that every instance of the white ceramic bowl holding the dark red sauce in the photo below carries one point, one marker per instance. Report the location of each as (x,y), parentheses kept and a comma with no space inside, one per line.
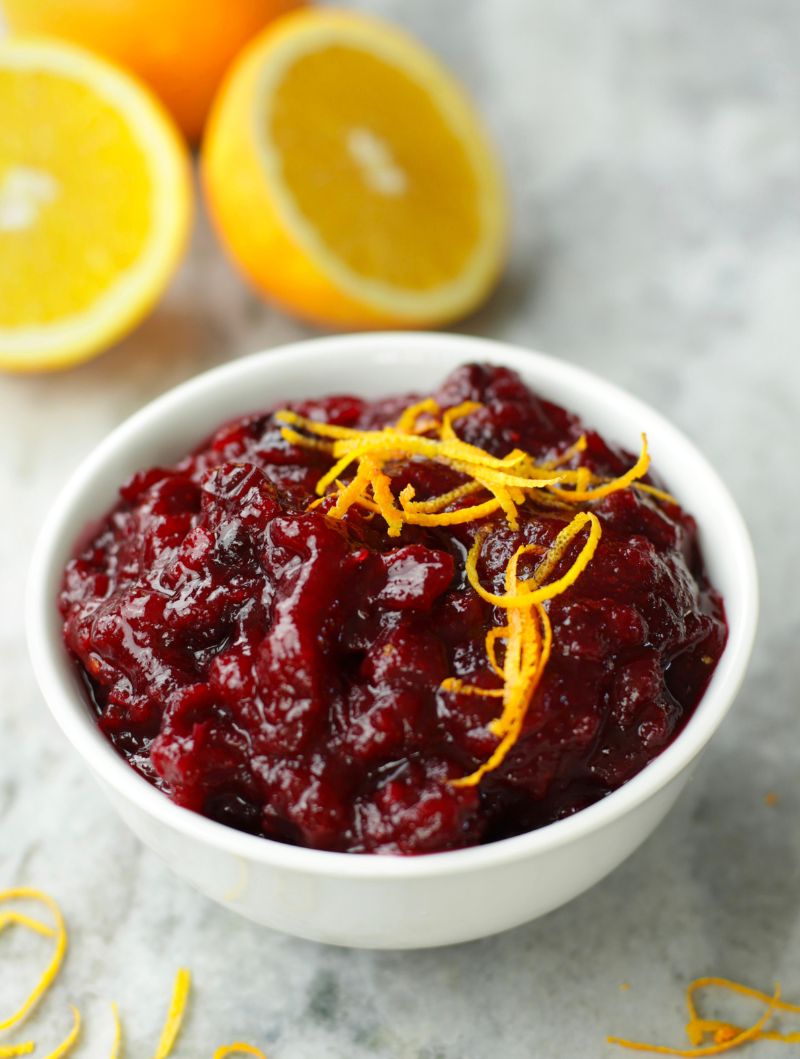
(359,900)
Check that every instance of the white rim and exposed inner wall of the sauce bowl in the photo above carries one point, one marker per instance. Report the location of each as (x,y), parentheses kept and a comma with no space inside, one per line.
(375,366)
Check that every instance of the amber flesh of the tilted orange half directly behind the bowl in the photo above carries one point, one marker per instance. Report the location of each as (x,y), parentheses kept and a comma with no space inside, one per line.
(383,163)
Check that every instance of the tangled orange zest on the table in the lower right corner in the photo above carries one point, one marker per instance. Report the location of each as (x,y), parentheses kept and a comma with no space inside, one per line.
(726,1036)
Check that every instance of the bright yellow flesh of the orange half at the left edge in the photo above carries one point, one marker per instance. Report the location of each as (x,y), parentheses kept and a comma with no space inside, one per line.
(67,232)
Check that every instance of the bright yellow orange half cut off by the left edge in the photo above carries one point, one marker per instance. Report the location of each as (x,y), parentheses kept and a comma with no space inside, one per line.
(95,204)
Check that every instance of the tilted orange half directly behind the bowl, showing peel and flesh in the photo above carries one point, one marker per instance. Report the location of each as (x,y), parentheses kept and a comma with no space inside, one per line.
(350,178)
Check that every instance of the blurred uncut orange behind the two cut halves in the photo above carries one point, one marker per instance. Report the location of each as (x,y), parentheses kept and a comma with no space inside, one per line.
(182,48)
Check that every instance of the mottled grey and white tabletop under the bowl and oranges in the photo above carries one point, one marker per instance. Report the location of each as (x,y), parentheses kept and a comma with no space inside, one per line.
(654,160)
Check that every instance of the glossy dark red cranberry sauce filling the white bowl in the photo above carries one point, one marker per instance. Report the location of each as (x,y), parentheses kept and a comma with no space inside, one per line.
(279,671)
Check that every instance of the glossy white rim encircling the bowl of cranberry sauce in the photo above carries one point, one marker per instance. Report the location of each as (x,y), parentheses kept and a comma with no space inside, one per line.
(73,714)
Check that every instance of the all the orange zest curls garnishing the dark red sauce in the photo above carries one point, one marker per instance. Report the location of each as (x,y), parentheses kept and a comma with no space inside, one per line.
(492,484)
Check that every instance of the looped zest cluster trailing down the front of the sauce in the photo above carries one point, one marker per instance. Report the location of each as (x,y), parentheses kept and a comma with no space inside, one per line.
(528,635)
